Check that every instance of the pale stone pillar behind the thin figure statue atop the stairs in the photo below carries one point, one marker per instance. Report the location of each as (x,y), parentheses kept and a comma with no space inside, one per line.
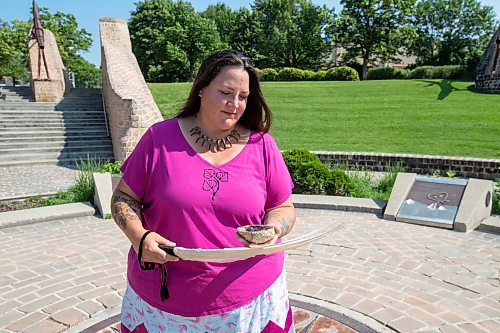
(43,89)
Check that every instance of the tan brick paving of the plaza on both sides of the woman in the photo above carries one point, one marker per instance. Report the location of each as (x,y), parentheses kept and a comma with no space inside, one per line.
(71,274)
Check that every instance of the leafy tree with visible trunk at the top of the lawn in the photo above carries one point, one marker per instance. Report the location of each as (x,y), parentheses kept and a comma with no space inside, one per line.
(373,30)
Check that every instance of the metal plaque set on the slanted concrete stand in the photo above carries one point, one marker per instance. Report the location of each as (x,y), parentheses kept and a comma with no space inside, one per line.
(432,201)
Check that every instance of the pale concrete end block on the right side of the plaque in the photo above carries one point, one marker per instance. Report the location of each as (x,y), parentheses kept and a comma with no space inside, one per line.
(475,206)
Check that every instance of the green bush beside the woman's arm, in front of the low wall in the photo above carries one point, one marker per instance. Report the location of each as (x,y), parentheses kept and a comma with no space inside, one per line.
(311,176)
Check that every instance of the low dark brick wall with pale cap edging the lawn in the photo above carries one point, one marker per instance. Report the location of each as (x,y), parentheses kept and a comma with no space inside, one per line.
(421,164)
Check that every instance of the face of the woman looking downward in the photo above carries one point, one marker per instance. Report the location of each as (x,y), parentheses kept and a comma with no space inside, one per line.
(224,100)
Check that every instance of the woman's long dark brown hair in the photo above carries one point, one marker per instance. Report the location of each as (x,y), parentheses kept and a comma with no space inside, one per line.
(257,115)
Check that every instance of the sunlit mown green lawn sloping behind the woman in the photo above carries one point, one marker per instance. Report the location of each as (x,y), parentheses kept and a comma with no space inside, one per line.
(438,117)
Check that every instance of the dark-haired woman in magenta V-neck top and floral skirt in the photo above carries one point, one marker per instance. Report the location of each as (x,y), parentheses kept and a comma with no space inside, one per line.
(191,181)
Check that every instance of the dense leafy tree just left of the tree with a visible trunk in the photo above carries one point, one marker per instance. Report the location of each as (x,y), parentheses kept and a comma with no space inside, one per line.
(291,33)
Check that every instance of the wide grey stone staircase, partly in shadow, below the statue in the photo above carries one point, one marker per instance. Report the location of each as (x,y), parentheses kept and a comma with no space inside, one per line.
(65,132)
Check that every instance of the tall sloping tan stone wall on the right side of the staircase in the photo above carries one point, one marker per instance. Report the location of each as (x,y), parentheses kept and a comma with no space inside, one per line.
(128,101)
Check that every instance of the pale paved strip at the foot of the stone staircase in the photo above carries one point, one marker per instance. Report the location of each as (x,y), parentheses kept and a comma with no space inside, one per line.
(23,181)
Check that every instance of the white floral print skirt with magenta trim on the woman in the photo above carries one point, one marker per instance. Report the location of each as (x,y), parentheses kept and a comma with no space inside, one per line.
(268,313)
